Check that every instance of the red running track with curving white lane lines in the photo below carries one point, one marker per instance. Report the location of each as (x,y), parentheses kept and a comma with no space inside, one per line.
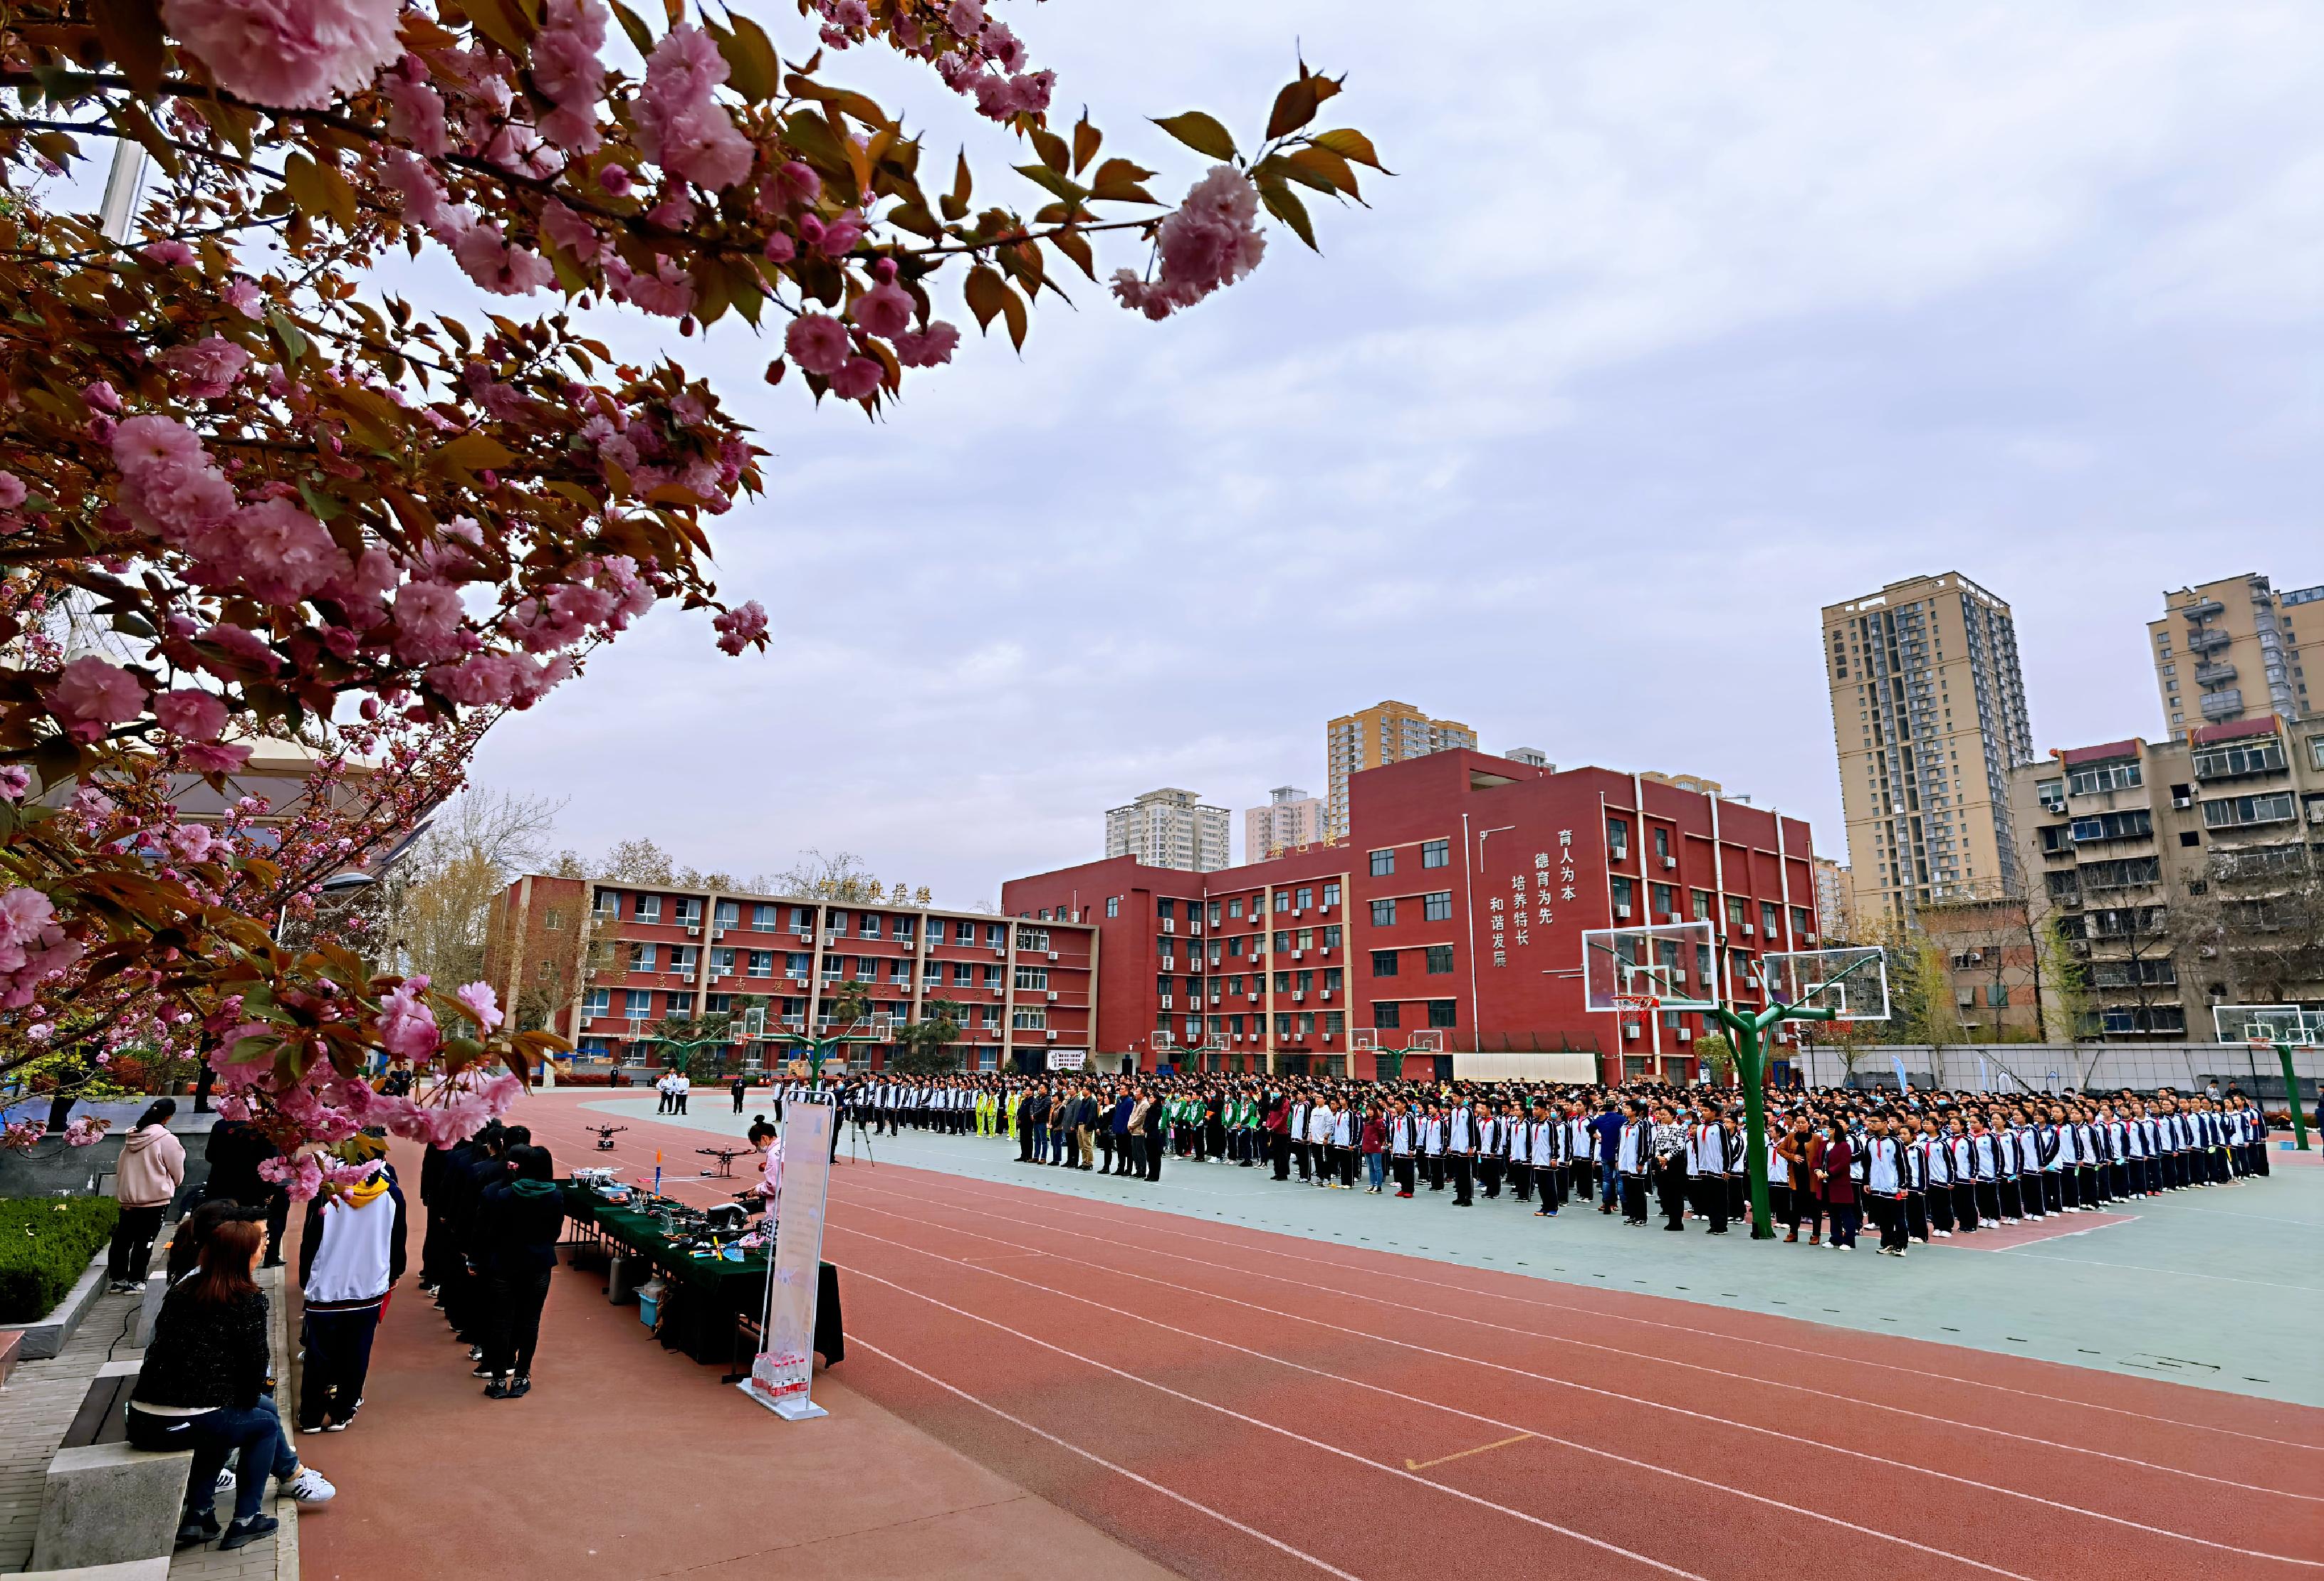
(1240,1403)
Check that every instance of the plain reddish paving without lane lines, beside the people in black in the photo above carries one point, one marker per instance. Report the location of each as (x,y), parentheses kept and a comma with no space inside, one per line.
(631,1461)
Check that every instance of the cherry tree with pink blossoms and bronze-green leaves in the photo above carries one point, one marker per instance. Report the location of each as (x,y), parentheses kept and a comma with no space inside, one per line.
(303,506)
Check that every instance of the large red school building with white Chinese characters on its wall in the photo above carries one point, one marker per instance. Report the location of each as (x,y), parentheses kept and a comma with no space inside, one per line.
(1454,908)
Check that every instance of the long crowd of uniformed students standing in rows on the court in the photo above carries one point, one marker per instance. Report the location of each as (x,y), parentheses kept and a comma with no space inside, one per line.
(1921,1166)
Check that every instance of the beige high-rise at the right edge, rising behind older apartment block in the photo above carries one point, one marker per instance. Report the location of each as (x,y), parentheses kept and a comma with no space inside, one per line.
(2230,650)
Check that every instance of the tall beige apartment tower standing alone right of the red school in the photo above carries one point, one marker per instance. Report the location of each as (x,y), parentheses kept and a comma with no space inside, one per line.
(1930,717)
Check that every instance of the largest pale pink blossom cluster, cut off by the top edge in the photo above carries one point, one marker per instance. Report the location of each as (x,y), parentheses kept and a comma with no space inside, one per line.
(287,52)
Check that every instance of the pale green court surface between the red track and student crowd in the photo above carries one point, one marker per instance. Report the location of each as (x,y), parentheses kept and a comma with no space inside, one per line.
(2209,1287)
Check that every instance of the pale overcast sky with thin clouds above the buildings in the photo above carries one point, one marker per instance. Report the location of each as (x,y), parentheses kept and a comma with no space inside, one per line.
(1677,324)
